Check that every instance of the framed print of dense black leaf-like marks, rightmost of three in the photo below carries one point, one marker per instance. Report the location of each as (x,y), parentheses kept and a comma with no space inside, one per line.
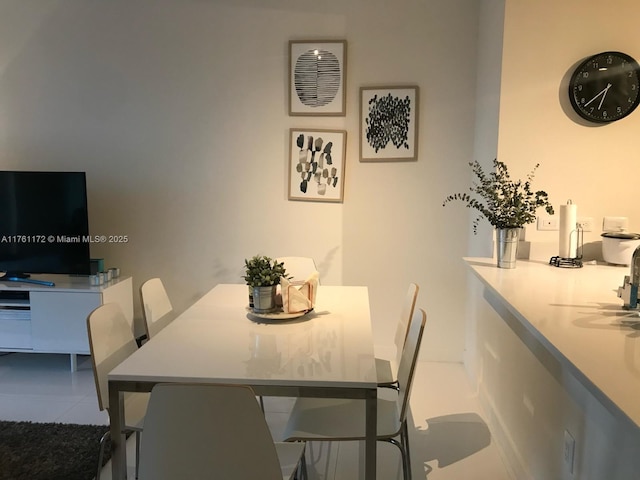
(389,123)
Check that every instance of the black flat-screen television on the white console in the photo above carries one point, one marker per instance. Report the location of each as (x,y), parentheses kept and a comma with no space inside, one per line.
(44,225)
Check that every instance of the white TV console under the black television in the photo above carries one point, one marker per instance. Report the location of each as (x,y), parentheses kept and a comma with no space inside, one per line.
(41,319)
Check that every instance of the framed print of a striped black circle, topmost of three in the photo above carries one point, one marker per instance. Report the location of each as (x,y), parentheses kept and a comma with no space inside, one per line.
(317,77)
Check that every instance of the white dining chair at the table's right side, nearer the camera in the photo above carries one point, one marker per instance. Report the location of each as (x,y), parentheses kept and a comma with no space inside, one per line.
(327,419)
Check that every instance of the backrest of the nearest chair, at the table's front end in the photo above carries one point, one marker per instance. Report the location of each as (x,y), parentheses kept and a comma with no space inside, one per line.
(196,431)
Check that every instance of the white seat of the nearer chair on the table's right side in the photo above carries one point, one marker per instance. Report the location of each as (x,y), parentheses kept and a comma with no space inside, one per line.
(339,419)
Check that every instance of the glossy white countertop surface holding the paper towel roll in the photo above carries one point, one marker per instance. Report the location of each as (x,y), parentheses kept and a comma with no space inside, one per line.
(576,314)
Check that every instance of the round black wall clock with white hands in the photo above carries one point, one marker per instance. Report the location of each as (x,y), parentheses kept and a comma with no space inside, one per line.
(604,88)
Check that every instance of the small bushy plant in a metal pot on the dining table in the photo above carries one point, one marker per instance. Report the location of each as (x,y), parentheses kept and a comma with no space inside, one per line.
(263,275)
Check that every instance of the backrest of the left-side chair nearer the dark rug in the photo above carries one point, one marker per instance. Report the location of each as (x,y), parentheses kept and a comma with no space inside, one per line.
(110,342)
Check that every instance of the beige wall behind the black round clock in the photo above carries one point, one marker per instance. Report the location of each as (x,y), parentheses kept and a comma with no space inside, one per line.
(594,166)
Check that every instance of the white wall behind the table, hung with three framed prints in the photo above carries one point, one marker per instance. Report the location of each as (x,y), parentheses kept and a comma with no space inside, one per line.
(177,111)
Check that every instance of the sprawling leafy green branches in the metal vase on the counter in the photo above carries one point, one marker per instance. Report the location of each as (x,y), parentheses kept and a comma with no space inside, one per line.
(504,202)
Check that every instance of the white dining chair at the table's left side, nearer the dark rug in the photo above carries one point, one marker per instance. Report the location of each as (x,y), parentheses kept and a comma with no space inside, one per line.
(110,342)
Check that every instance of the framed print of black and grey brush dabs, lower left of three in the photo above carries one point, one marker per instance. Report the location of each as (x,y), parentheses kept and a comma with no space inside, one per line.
(317,164)
